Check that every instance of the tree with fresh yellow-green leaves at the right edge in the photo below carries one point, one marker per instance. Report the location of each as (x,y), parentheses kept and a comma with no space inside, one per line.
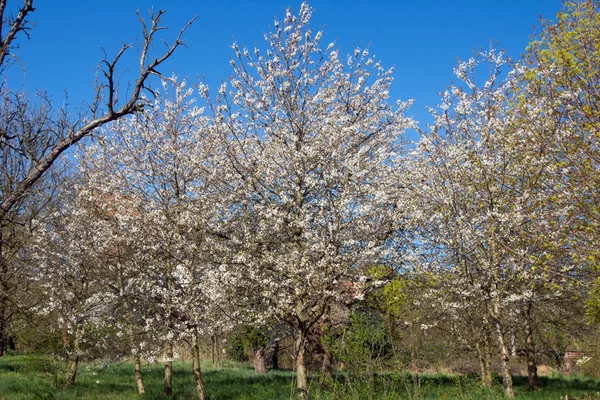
(562,79)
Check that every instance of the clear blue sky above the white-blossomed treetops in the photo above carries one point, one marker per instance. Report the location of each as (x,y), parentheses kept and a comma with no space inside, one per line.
(421,39)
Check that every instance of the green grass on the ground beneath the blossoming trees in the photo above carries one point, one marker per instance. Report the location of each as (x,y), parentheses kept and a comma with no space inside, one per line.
(35,377)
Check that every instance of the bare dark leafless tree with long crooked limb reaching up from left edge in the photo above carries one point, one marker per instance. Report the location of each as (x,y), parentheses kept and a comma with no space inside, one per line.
(33,134)
